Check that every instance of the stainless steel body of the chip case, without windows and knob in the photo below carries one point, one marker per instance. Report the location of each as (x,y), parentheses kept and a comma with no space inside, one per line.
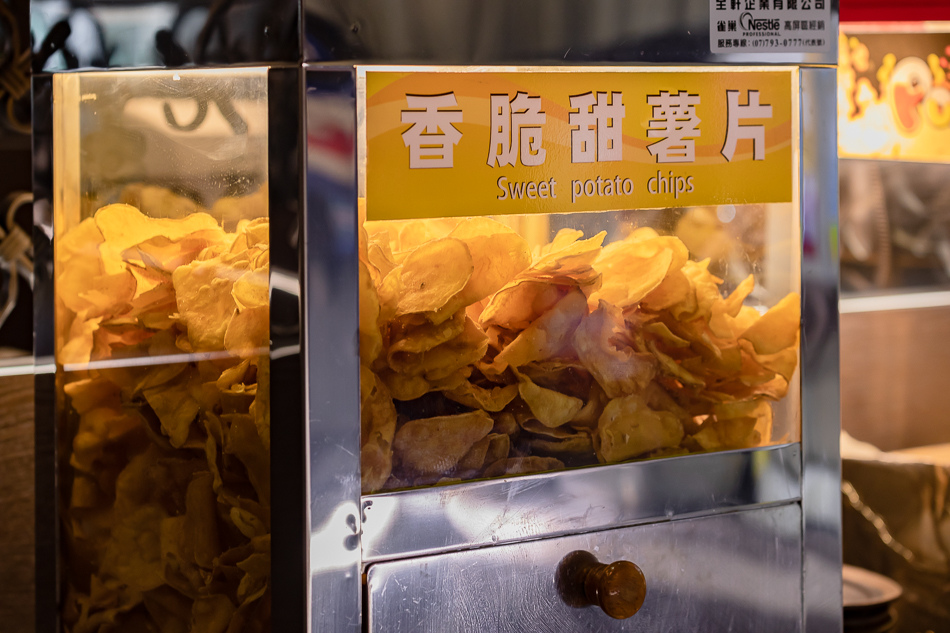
(486,554)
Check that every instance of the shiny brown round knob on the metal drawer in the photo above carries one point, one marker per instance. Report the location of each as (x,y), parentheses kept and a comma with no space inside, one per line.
(618,588)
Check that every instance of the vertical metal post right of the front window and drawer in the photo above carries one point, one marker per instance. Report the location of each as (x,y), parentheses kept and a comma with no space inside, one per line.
(821,397)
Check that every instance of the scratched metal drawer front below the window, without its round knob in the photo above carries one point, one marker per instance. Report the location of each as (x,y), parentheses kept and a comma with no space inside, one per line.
(738,572)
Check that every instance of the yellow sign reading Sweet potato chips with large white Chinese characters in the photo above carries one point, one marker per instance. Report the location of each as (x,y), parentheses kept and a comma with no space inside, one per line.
(469,142)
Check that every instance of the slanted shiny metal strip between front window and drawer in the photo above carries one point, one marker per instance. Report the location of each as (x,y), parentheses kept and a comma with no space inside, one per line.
(430,520)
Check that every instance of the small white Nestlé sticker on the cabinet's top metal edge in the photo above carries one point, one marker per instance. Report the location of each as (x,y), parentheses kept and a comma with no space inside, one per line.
(757,26)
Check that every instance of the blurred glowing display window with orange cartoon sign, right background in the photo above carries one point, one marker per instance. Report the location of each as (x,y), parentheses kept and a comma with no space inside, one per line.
(894,141)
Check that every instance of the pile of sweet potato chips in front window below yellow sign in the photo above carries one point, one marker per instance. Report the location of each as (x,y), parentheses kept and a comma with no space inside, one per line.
(483,357)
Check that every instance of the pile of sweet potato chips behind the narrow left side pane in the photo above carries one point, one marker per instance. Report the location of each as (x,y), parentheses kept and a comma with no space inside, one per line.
(162,339)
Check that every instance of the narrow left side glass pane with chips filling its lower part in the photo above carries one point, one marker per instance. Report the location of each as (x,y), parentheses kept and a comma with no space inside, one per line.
(162,330)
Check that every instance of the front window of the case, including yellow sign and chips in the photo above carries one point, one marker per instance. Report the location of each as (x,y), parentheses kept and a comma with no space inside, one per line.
(512,334)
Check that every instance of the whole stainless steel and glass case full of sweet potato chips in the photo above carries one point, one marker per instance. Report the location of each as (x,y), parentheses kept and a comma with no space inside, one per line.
(433,333)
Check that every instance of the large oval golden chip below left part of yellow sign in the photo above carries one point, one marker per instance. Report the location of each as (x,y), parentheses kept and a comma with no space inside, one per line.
(432,274)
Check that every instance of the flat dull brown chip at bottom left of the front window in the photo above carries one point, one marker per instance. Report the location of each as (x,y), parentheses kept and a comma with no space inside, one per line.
(434,446)
